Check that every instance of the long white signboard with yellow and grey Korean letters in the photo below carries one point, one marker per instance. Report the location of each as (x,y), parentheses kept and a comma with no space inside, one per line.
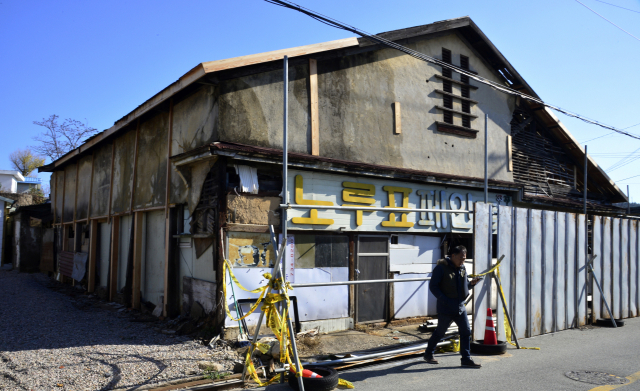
(314,188)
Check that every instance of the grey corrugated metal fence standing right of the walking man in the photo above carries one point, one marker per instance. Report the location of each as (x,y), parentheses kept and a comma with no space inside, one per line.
(544,272)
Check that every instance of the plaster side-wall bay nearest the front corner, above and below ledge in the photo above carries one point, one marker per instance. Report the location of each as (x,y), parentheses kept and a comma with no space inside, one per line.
(195,123)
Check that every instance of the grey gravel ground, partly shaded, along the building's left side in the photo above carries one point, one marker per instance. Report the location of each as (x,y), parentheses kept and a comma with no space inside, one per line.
(51,341)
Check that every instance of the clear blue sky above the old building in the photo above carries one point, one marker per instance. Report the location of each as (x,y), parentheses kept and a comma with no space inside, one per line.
(97,61)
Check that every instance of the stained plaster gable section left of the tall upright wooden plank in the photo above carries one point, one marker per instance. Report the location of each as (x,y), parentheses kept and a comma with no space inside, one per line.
(251,109)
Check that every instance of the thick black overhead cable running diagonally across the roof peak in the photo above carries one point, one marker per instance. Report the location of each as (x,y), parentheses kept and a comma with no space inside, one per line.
(421,56)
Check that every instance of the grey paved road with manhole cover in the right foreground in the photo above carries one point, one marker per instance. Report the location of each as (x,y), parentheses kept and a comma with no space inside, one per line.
(613,351)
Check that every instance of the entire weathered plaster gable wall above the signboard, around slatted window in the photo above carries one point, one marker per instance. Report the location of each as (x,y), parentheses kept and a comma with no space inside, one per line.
(356,96)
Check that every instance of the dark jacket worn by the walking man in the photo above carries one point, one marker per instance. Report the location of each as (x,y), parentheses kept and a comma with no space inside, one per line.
(449,284)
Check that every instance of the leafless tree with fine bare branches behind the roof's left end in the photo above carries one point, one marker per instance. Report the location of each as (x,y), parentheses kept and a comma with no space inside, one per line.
(60,138)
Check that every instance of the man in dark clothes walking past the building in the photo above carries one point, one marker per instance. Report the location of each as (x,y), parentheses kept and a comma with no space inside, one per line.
(449,284)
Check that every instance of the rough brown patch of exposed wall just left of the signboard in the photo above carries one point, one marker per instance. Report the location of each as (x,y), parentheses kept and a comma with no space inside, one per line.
(254,210)
